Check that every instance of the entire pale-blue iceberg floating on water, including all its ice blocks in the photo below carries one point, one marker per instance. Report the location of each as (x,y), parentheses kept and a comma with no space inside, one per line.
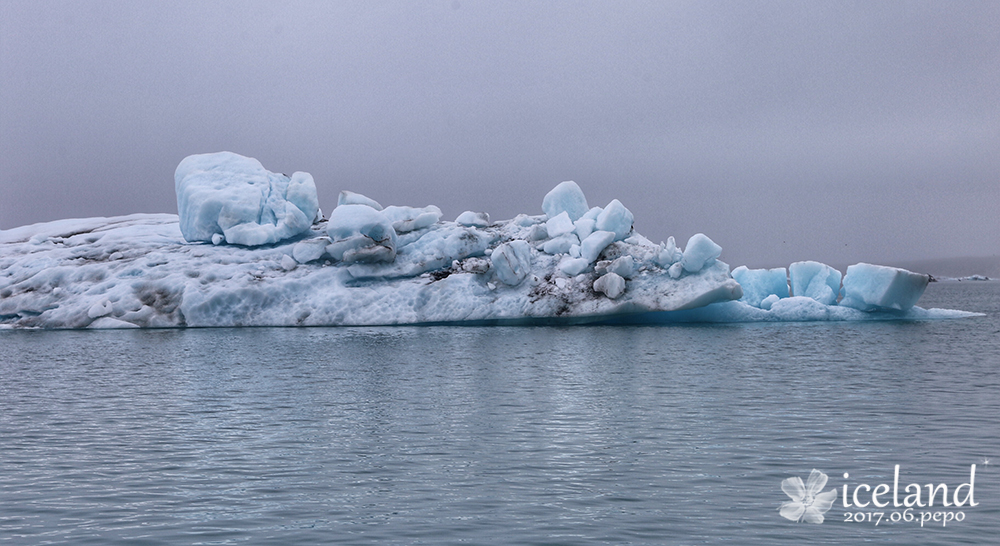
(370,265)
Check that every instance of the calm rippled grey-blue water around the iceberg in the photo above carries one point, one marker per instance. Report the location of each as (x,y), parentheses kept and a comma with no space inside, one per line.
(535,435)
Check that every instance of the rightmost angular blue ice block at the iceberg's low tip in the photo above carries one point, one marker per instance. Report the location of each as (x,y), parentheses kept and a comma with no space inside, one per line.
(875,287)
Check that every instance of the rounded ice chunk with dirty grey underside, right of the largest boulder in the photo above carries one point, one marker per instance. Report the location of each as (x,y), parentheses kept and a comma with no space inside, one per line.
(361,234)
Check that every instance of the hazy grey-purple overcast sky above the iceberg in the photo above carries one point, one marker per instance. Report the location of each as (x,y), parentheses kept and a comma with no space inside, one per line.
(833,131)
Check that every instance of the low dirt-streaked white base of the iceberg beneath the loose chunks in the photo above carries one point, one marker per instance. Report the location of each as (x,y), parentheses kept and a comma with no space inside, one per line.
(138,270)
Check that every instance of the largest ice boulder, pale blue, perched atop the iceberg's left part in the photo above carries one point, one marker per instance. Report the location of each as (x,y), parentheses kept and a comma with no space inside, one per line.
(234,196)
